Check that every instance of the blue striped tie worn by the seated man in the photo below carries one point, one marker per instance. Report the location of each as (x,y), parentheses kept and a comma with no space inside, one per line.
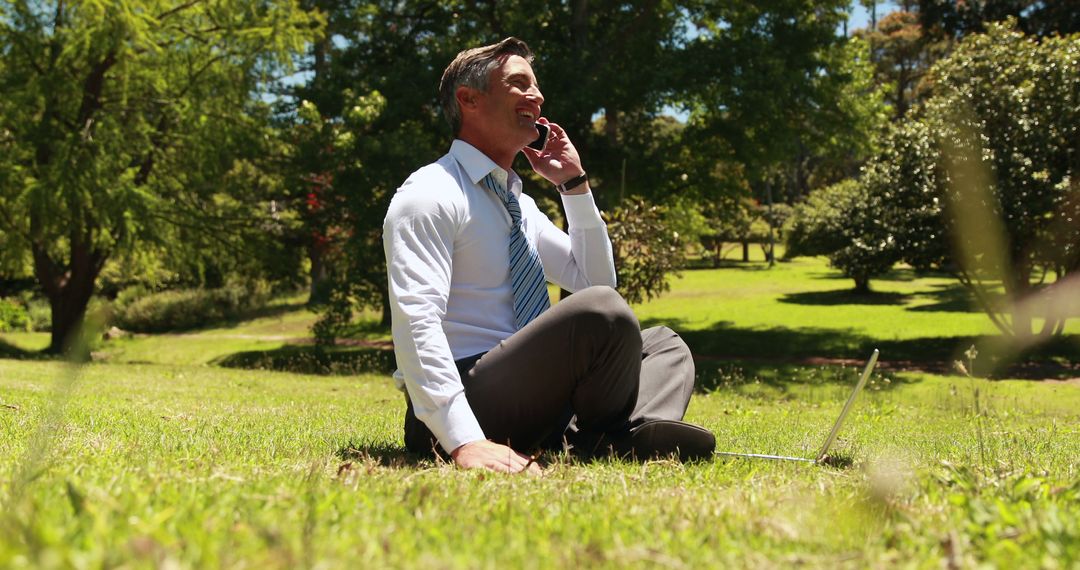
(526,274)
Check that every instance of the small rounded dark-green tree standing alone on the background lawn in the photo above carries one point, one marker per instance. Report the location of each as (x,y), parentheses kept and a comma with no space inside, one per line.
(844,223)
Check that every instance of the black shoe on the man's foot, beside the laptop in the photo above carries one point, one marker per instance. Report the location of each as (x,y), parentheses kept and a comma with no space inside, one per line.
(659,440)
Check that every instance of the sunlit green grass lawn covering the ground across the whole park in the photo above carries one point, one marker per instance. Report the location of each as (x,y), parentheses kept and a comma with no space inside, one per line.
(156,456)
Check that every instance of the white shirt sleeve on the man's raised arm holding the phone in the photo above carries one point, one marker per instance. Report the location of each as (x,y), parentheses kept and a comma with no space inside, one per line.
(582,259)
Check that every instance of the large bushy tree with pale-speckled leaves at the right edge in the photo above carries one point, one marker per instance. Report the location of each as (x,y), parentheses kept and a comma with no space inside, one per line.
(1007,115)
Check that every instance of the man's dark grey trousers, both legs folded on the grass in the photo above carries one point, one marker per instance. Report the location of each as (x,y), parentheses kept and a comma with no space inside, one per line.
(582,370)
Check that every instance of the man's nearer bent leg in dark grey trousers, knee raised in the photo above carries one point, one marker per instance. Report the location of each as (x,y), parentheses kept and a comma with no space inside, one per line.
(584,356)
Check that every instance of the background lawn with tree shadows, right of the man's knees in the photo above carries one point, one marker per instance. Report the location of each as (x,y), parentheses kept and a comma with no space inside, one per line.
(803,309)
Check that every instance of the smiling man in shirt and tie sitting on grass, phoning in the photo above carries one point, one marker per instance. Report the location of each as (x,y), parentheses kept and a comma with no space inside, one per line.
(492,371)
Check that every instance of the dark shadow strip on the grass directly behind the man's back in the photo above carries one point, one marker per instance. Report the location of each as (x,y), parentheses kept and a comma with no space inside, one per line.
(314,360)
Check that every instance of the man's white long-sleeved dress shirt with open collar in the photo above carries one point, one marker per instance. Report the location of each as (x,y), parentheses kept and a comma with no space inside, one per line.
(448,245)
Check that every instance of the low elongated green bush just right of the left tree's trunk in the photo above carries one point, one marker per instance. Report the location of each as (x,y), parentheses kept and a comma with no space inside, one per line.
(179,310)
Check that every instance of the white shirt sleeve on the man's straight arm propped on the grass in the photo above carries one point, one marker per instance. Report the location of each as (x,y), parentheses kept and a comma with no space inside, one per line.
(418,241)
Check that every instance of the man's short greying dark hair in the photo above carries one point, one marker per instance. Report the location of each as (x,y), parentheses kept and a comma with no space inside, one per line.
(472,69)
